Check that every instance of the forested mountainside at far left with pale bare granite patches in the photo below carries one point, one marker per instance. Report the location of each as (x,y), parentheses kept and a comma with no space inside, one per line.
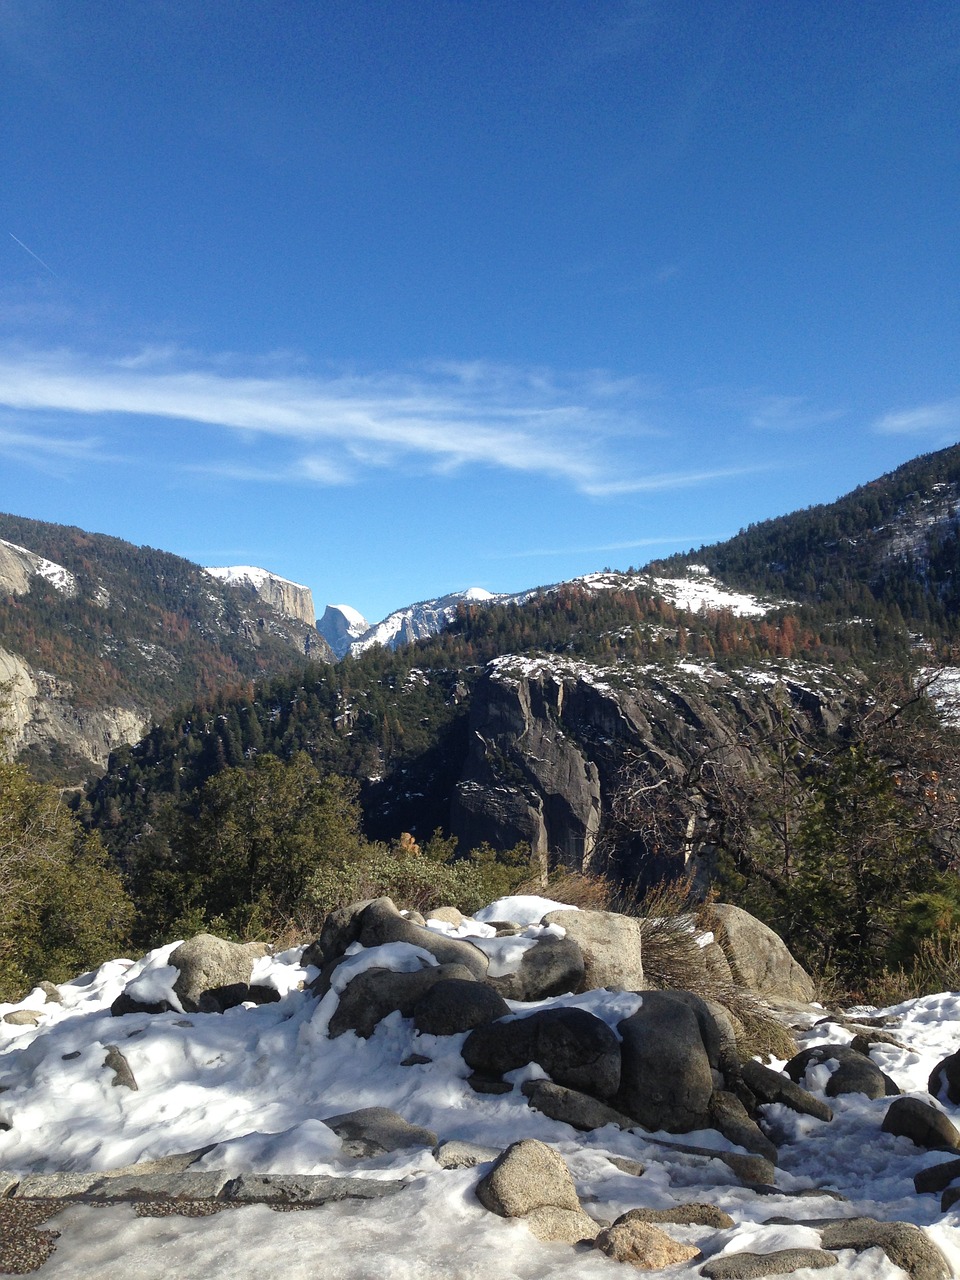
(99,639)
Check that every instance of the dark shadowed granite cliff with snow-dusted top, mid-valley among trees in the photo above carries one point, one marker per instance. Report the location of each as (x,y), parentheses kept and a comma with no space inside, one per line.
(548,743)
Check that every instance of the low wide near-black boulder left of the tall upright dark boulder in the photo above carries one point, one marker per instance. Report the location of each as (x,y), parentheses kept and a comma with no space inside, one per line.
(572,1045)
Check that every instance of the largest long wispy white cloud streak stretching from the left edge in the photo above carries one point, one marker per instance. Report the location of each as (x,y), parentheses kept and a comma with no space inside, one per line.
(442,418)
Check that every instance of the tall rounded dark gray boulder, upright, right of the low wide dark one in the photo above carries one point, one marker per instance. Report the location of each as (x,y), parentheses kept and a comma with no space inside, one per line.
(666,1078)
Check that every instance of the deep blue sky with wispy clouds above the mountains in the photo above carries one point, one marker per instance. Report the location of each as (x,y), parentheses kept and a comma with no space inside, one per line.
(395,299)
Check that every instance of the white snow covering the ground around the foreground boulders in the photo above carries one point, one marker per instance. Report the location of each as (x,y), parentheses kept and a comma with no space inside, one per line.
(258,1081)
